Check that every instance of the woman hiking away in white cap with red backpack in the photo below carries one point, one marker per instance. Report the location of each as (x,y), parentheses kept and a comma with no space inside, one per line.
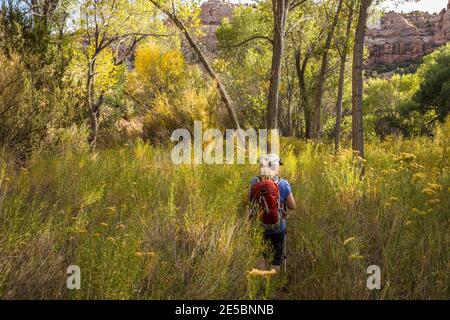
(269,196)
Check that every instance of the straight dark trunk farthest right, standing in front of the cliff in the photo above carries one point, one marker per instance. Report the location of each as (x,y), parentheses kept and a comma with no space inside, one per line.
(357,81)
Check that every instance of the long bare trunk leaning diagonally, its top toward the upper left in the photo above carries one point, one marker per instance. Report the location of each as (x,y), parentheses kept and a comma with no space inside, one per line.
(223,93)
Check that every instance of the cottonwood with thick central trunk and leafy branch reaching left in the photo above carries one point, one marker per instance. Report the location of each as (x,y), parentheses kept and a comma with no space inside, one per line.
(266,31)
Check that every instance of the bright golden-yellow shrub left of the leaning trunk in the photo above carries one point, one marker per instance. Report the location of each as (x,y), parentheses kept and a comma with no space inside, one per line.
(171,93)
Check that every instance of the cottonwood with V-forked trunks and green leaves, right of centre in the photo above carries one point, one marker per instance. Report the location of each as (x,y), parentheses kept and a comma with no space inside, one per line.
(312,40)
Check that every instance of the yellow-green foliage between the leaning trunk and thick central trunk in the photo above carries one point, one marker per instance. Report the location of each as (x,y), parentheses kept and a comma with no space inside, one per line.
(244,58)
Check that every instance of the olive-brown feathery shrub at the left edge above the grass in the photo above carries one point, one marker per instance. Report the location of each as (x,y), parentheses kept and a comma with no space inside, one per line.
(26,112)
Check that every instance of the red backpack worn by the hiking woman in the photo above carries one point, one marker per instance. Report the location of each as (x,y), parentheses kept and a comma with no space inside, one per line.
(265,197)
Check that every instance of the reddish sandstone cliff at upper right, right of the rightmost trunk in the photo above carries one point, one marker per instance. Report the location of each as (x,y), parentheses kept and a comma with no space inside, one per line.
(403,38)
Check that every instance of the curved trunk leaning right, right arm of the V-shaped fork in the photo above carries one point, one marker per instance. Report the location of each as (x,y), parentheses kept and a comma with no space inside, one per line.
(321,76)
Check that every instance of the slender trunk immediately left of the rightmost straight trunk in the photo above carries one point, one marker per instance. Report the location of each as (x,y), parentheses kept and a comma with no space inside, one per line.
(341,81)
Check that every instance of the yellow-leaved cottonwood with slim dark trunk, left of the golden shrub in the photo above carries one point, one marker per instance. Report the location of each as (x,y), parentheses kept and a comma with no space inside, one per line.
(109,32)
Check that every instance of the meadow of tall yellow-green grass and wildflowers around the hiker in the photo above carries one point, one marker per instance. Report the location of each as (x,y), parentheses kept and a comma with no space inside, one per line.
(140,227)
